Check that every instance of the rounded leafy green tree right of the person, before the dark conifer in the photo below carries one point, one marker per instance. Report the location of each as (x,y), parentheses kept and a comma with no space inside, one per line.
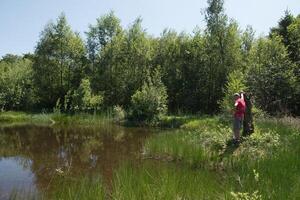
(271,76)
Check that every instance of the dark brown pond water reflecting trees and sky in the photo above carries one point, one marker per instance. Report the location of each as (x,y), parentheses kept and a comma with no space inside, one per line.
(31,155)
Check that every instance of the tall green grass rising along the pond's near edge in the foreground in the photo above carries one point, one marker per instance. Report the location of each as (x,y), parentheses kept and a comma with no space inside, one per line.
(147,181)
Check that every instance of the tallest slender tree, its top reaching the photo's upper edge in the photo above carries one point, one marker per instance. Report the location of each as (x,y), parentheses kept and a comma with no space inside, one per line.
(223,50)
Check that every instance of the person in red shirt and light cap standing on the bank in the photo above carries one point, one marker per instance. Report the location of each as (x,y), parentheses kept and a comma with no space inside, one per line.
(238,115)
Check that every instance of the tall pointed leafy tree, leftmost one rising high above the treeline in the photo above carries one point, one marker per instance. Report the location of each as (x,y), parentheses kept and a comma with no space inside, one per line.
(58,62)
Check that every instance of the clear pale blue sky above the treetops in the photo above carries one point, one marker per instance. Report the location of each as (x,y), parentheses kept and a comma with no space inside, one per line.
(21,21)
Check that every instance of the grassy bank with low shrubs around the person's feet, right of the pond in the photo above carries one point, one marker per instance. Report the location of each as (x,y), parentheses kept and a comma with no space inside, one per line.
(265,165)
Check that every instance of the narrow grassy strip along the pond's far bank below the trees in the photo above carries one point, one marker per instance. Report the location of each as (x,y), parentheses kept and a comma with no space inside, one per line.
(165,122)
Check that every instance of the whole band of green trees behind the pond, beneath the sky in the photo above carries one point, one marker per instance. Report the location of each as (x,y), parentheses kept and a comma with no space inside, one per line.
(197,70)
